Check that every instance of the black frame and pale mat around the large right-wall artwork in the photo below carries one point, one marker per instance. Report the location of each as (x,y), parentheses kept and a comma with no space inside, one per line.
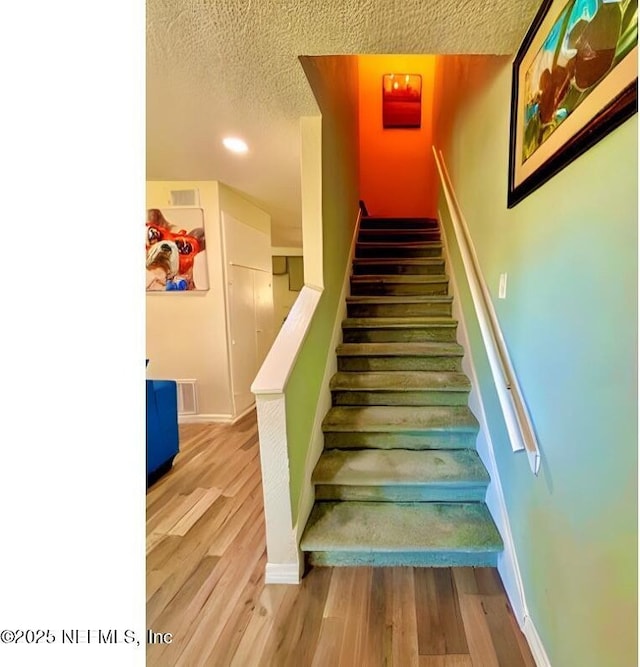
(599,110)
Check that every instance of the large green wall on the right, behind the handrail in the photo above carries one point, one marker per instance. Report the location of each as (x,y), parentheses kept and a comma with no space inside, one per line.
(570,324)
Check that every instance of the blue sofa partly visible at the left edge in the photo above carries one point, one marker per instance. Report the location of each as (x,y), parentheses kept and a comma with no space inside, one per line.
(162,427)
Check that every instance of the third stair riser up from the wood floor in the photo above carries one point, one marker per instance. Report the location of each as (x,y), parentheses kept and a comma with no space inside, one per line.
(433,440)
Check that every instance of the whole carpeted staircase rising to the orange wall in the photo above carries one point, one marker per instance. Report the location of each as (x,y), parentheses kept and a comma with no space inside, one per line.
(399,481)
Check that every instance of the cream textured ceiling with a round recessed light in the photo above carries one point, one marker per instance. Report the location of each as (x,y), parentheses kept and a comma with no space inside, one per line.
(218,67)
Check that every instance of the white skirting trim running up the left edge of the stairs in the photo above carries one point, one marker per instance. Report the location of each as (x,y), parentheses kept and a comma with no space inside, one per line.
(307,492)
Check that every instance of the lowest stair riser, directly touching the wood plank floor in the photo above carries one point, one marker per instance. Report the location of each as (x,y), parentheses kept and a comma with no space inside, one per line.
(405,559)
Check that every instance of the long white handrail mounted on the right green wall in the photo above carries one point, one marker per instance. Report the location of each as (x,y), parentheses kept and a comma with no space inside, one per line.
(514,409)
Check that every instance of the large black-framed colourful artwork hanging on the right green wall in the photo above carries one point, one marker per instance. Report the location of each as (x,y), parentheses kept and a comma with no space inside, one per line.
(575,79)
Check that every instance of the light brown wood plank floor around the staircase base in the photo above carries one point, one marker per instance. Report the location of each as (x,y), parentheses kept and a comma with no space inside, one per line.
(205,584)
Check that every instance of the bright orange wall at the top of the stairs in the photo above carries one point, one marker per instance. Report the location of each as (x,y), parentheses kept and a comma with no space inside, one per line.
(397,171)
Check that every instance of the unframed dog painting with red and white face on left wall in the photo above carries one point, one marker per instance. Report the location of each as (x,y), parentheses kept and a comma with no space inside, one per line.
(176,259)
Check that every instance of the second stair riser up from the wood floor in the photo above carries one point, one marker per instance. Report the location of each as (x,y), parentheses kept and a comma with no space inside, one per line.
(403,493)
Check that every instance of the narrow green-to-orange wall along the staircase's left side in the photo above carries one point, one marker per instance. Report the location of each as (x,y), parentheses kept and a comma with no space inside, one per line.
(334,80)
